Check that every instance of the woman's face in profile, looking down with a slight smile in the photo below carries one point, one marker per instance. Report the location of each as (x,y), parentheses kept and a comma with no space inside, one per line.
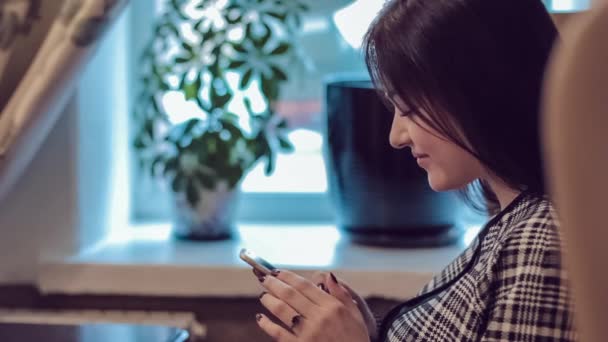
(448,166)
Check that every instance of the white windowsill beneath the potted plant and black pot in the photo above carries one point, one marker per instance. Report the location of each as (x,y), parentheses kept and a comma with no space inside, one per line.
(146,261)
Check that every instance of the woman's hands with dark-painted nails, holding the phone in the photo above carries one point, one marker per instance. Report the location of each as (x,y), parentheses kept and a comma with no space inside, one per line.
(309,311)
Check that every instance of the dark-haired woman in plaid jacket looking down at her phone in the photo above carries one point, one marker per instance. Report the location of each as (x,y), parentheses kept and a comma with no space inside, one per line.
(463,78)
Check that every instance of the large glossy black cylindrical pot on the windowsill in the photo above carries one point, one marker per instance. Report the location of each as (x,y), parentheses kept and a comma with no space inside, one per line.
(381,195)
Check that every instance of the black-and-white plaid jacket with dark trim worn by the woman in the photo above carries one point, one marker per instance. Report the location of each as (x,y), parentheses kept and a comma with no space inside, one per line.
(509,285)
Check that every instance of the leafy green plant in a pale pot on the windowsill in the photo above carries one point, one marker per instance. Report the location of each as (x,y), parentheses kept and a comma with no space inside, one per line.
(217,55)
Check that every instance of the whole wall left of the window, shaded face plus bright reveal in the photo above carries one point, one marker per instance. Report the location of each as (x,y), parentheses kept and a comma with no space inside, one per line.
(74,190)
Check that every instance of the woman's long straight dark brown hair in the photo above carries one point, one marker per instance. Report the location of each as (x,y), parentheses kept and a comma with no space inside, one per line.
(476,67)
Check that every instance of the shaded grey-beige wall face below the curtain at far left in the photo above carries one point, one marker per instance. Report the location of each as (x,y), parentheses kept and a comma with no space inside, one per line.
(38,217)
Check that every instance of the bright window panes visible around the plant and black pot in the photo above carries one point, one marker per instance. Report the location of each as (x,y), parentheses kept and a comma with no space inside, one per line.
(297,190)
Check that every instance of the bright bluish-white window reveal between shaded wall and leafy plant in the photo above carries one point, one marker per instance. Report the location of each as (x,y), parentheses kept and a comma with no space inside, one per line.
(103,189)
